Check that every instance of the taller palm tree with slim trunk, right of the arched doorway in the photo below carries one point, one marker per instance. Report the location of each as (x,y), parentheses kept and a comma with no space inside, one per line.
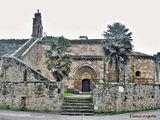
(117,46)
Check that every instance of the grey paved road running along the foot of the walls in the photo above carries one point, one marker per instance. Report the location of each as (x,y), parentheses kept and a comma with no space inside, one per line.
(17,115)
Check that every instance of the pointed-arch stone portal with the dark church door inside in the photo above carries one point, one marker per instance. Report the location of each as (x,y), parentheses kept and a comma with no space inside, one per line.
(85,73)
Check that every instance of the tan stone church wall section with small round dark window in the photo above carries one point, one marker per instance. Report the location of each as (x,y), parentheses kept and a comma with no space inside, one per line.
(143,70)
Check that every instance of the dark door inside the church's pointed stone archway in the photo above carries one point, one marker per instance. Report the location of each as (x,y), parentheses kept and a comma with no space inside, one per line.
(85,85)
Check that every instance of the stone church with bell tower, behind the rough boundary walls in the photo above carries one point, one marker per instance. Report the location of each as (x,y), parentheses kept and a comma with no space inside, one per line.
(87,63)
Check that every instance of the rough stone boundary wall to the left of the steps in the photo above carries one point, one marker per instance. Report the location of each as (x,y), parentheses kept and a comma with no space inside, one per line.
(36,96)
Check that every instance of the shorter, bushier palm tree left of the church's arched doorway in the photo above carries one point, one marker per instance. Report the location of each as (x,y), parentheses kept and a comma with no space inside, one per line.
(59,59)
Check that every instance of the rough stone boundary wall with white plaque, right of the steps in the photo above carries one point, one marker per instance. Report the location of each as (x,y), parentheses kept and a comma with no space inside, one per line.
(119,97)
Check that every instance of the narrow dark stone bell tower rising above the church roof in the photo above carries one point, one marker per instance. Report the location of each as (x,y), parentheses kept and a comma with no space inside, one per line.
(37,29)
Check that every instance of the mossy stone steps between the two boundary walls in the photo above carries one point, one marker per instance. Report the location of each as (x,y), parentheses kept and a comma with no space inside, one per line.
(77,105)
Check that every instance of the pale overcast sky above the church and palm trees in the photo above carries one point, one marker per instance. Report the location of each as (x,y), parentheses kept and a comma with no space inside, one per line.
(73,18)
